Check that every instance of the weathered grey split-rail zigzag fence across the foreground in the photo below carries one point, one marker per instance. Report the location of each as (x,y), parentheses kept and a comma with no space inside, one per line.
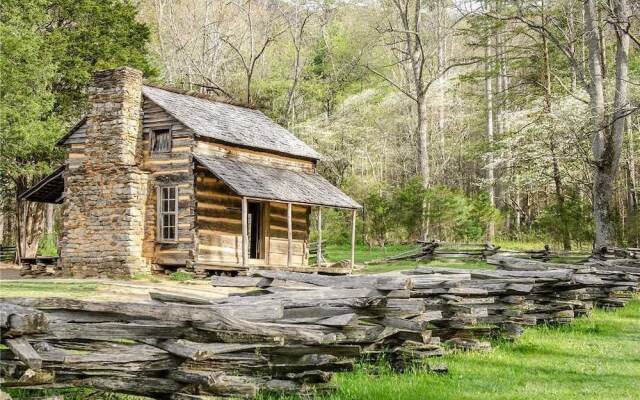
(289,332)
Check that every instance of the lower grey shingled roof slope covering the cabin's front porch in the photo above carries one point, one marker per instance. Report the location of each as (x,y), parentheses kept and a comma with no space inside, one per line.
(270,183)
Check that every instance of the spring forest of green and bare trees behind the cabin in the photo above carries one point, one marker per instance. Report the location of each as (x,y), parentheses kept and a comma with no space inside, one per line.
(453,120)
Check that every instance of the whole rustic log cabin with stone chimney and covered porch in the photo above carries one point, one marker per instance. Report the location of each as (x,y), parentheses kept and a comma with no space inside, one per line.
(158,178)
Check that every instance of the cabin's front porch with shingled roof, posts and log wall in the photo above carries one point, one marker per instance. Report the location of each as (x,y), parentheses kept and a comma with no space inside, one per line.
(257,216)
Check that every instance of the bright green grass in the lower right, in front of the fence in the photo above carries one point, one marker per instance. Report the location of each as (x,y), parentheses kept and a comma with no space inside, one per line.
(594,358)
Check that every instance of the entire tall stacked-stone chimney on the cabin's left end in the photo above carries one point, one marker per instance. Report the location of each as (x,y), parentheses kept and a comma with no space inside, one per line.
(103,223)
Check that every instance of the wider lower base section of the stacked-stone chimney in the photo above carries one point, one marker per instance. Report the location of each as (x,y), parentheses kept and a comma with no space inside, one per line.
(104,224)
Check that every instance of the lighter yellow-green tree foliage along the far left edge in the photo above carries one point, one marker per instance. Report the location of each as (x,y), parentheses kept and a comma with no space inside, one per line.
(28,129)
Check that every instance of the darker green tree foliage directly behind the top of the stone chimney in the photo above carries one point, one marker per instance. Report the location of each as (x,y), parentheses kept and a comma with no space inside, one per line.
(90,35)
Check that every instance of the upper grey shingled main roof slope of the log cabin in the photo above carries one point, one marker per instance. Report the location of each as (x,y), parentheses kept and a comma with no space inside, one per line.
(229,123)
